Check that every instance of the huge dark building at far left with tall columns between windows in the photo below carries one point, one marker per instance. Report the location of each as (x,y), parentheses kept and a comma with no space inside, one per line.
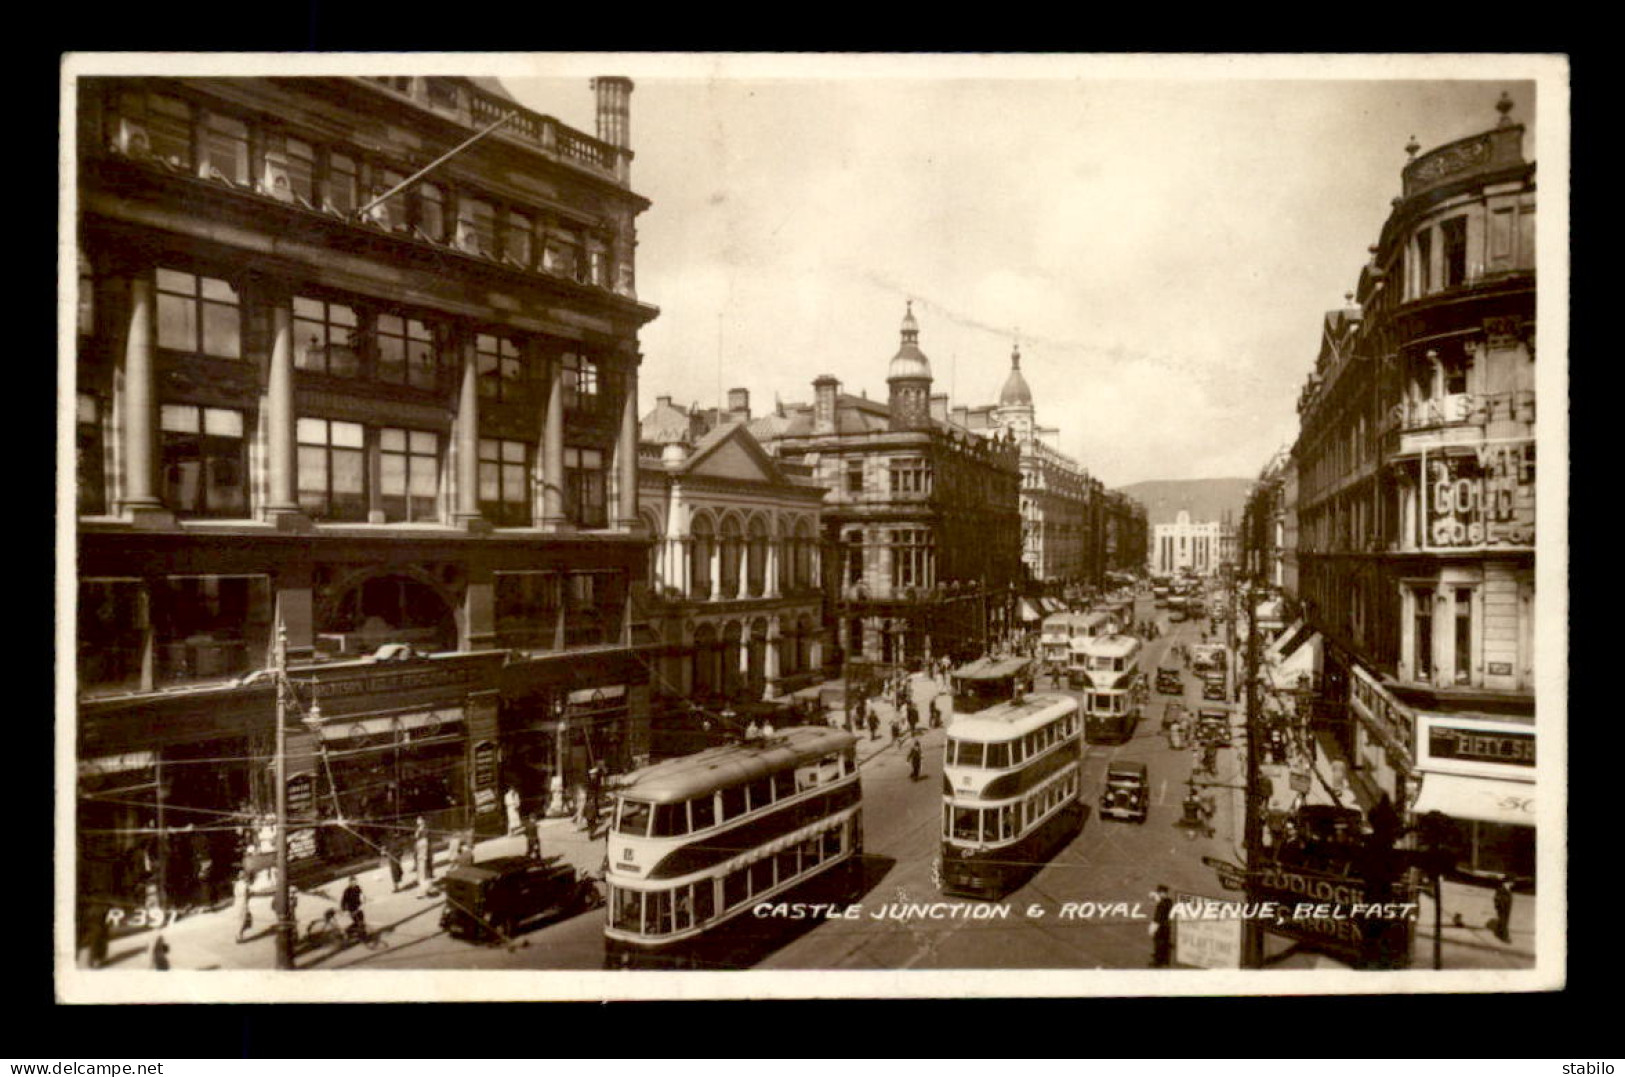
(392,412)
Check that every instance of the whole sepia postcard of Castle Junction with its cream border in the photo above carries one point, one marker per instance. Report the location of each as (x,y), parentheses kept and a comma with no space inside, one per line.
(810,526)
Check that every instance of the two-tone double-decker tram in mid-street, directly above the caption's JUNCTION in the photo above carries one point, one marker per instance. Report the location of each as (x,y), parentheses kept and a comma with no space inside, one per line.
(1012,792)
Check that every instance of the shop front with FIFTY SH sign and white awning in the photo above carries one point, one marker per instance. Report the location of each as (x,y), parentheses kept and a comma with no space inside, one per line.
(1480,772)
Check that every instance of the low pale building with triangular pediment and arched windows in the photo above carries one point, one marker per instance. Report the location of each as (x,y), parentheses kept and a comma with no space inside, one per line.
(735,563)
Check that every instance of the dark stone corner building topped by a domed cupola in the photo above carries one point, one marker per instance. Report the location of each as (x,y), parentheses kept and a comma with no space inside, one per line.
(922,521)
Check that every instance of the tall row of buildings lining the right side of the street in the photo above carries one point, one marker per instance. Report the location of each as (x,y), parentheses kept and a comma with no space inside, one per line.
(1402,524)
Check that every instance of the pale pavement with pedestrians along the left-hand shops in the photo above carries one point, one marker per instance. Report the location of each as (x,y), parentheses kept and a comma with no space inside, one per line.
(207,938)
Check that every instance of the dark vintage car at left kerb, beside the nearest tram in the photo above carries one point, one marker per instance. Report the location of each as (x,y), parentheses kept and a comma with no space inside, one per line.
(496,899)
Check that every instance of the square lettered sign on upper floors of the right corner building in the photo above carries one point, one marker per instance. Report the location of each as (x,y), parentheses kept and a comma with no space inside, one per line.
(1480,500)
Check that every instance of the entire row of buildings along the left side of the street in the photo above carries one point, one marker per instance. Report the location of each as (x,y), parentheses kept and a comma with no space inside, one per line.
(357,378)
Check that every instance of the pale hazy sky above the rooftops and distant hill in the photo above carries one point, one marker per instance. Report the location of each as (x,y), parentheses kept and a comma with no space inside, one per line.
(1161,235)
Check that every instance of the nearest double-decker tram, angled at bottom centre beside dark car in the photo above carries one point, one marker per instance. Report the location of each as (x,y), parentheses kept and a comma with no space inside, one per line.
(700,841)
